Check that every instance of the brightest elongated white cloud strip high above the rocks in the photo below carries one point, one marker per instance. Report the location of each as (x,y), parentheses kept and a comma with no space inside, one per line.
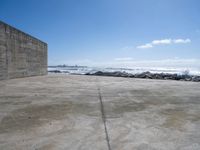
(164,42)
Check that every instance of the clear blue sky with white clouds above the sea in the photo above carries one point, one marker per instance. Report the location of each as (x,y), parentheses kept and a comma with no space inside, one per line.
(93,32)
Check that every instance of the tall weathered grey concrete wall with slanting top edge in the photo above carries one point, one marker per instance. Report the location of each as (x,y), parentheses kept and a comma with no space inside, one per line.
(21,55)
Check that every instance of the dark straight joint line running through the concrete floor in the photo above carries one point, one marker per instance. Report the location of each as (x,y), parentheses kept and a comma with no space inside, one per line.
(104,118)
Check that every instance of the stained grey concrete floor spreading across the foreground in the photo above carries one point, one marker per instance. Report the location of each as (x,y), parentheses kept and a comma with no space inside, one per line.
(98,113)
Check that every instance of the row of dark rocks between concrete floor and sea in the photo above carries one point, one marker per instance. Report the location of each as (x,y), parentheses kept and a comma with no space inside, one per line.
(149,75)
